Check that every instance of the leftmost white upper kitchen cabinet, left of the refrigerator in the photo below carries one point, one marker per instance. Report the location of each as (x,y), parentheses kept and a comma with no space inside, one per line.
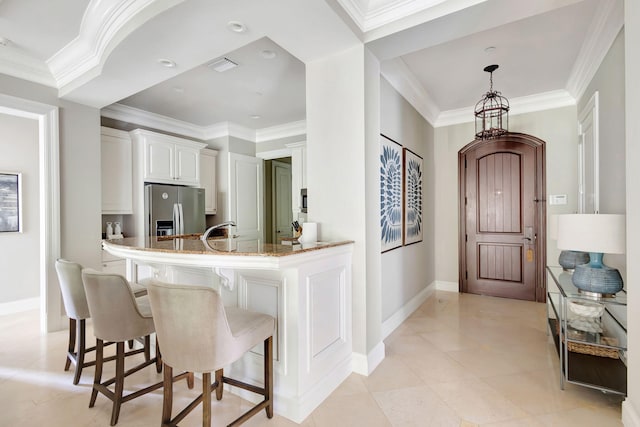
(116,169)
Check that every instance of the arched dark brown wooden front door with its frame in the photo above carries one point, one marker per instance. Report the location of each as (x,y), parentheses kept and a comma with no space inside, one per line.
(502,217)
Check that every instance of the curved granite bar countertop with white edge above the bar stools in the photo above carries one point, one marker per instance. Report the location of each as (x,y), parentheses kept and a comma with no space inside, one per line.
(189,250)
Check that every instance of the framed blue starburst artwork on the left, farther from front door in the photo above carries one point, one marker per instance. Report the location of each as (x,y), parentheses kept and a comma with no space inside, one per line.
(391,206)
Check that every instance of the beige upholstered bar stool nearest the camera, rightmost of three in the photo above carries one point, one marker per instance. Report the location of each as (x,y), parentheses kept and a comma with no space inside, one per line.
(197,334)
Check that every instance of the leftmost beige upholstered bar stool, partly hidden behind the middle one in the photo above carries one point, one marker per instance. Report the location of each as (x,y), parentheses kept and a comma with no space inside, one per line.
(75,305)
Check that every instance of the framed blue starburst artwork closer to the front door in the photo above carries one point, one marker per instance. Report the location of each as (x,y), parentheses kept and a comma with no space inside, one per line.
(413,196)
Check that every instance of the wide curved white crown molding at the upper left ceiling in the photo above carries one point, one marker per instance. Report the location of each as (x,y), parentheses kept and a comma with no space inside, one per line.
(104,25)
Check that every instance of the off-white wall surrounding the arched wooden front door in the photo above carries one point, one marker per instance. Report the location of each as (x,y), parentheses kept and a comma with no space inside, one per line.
(556,127)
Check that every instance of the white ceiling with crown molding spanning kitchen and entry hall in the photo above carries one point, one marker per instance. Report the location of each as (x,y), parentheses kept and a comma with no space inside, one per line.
(104,54)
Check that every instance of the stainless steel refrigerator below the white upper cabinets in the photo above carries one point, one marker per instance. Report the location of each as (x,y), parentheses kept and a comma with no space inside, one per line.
(171,209)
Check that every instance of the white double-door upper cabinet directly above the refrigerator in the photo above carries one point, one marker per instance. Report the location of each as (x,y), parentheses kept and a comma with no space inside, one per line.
(169,160)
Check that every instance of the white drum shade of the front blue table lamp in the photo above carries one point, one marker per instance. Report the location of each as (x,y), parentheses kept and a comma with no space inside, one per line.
(599,233)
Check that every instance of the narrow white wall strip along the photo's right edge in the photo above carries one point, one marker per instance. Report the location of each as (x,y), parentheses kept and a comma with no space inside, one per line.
(631,406)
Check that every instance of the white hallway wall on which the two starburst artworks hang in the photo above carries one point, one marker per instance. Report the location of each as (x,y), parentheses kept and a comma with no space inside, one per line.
(408,270)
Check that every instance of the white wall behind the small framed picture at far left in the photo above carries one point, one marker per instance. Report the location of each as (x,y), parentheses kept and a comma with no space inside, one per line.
(19,251)
